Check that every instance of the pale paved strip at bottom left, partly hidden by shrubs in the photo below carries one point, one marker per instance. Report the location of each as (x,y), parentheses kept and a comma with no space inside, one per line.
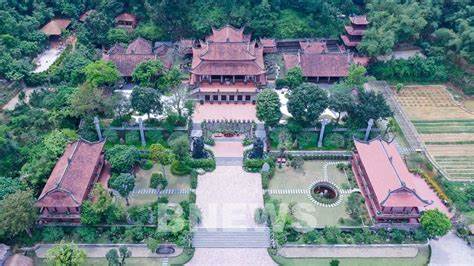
(99,251)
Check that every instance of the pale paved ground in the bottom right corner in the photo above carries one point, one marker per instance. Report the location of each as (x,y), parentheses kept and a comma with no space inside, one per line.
(451,250)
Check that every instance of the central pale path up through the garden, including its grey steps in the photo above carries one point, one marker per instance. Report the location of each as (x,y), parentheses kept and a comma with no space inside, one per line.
(228,198)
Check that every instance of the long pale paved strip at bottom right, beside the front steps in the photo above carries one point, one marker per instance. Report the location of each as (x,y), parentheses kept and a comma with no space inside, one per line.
(351,251)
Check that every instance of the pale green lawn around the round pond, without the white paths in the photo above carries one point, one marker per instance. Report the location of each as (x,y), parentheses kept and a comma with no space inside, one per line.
(306,210)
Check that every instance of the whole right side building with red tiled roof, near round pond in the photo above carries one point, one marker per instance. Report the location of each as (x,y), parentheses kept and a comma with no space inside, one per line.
(392,193)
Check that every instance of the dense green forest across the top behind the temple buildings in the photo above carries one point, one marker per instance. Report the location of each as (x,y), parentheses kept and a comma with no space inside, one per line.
(442,28)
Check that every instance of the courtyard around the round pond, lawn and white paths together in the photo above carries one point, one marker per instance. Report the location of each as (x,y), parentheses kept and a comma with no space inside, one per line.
(293,188)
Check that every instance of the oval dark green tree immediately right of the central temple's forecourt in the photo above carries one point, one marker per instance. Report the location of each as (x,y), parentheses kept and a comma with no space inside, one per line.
(268,107)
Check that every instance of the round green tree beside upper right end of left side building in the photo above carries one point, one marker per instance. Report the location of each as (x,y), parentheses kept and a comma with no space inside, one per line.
(122,158)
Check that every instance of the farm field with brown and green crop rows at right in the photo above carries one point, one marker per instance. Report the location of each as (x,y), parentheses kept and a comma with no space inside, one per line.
(445,126)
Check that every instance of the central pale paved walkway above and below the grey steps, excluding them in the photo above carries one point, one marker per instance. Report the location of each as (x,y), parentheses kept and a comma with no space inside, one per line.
(228,197)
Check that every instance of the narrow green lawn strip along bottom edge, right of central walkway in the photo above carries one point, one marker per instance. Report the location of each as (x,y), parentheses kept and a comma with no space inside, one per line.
(420,260)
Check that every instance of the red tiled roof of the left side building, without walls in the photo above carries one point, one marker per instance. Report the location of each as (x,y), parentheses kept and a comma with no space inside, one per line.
(68,184)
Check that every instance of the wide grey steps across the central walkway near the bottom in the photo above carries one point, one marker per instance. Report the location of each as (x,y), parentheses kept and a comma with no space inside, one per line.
(232,238)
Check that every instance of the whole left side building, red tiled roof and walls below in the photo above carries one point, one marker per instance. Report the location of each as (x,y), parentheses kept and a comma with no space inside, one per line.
(72,179)
